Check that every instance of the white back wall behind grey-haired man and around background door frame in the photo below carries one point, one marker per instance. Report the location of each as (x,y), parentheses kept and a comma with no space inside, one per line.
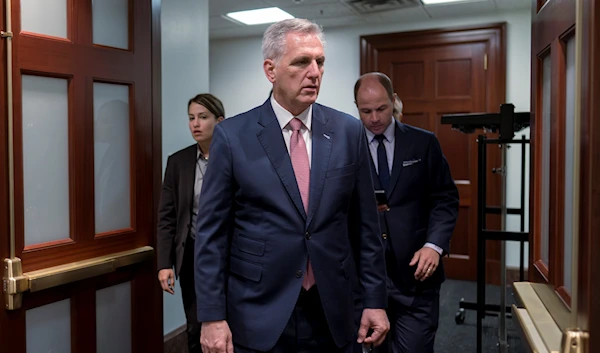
(238,79)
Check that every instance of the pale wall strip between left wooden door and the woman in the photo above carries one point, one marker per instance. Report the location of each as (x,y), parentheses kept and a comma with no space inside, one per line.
(184,26)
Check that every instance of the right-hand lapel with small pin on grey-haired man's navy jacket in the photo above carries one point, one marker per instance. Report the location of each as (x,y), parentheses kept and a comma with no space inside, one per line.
(322,138)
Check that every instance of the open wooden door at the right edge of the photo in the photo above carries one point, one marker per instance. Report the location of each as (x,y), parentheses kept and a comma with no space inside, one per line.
(566,163)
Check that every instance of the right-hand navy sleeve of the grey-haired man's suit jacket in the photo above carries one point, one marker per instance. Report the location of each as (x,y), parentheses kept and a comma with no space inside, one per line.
(369,254)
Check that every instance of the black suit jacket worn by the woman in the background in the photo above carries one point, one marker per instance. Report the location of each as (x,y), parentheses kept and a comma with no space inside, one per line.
(175,208)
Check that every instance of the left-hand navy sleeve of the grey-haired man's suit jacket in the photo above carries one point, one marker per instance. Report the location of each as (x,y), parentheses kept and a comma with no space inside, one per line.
(212,231)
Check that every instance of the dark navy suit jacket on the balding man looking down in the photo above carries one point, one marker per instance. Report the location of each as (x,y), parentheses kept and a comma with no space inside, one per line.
(422,201)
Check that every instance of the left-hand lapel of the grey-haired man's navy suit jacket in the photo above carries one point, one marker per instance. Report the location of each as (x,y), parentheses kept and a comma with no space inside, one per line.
(272,141)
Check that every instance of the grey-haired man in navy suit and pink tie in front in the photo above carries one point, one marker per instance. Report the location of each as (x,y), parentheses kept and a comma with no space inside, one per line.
(288,227)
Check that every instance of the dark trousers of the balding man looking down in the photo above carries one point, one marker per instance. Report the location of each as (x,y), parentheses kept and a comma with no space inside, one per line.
(413,322)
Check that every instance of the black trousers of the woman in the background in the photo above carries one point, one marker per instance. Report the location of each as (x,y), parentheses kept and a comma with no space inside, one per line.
(188,294)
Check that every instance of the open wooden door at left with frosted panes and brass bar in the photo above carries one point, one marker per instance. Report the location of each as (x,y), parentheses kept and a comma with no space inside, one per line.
(81,169)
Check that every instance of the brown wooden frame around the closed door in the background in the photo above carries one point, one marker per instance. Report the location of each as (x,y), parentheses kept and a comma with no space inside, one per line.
(494,36)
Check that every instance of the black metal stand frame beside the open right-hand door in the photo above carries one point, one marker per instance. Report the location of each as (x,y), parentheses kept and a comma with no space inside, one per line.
(506,122)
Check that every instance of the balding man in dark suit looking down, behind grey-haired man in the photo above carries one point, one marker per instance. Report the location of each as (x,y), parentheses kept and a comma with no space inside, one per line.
(417,214)
